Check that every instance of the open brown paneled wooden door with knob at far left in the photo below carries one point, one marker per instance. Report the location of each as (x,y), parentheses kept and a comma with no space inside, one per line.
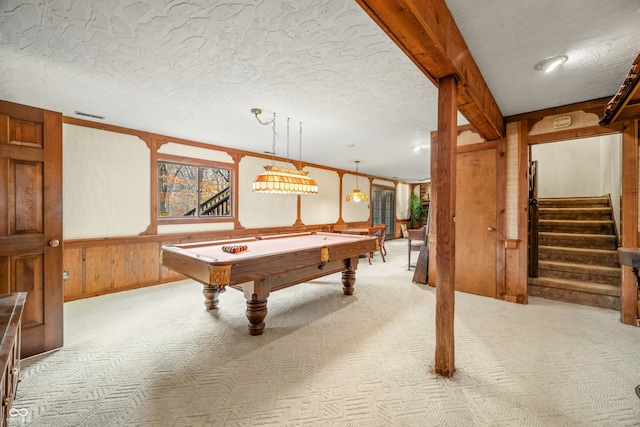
(31,220)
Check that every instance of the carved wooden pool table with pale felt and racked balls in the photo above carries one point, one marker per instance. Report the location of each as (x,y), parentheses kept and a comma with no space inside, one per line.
(269,263)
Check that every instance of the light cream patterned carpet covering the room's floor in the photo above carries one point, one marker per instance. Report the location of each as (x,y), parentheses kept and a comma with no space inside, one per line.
(156,357)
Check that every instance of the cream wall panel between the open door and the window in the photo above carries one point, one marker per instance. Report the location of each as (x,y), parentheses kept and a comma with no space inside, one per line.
(106,177)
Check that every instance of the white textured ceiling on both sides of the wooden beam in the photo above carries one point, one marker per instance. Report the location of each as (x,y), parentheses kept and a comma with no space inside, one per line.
(194,69)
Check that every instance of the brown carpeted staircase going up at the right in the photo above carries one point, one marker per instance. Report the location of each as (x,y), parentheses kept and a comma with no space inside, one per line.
(578,261)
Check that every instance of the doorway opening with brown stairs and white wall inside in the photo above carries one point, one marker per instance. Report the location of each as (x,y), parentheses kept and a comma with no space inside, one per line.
(575,199)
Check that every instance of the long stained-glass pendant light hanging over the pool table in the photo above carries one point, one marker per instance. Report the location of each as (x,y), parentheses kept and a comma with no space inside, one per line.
(280,180)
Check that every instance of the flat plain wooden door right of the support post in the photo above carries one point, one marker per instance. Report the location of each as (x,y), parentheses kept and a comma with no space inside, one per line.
(475,220)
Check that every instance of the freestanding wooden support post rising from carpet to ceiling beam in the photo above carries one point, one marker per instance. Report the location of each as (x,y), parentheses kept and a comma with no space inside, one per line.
(445,182)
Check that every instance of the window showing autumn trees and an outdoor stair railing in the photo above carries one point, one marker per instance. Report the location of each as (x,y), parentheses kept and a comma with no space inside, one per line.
(188,191)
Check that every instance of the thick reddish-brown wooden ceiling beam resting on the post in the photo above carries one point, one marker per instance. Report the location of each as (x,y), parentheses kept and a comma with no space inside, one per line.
(428,35)
